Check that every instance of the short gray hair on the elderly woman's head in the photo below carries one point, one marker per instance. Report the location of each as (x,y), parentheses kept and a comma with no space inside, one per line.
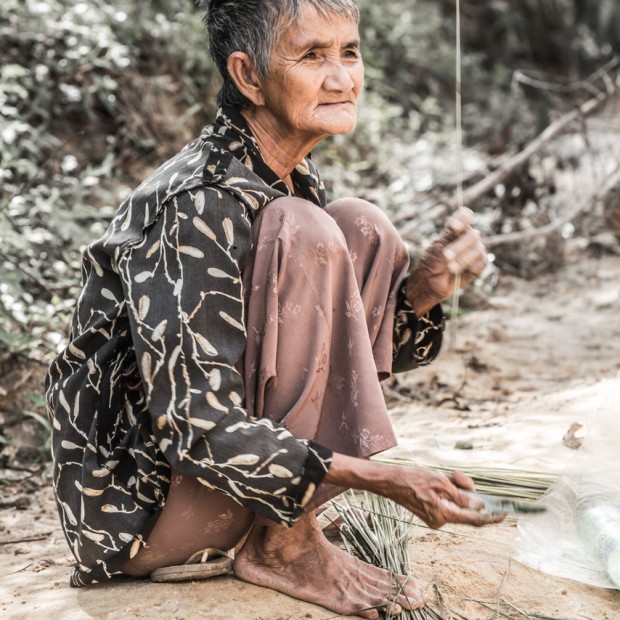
(254,27)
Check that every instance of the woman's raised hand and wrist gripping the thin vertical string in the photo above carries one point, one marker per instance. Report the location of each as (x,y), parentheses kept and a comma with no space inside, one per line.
(458,250)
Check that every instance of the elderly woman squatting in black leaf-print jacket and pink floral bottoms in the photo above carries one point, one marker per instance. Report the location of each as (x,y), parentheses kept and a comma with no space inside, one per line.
(222,378)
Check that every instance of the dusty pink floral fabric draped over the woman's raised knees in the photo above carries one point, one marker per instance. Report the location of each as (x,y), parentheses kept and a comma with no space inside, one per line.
(320,289)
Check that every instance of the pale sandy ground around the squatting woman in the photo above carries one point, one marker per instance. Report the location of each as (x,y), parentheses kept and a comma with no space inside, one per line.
(546,354)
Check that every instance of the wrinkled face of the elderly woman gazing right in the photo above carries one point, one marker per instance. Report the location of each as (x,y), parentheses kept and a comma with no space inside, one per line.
(316,75)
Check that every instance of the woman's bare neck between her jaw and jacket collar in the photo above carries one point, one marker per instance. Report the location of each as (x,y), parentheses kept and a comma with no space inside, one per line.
(281,150)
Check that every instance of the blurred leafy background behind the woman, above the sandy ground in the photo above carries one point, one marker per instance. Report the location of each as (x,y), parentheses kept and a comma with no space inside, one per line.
(94,95)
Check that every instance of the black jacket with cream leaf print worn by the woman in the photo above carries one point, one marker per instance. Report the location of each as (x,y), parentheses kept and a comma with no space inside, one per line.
(152,375)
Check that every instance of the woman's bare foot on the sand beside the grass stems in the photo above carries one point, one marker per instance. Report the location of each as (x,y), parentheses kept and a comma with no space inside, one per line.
(300,562)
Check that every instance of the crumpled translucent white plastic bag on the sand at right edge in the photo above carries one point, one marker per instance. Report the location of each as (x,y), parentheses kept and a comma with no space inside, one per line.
(579,536)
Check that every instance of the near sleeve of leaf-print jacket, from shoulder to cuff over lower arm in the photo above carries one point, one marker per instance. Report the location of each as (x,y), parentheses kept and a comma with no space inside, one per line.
(183,287)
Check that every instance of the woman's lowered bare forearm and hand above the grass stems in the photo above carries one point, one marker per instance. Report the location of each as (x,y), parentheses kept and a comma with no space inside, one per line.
(432,496)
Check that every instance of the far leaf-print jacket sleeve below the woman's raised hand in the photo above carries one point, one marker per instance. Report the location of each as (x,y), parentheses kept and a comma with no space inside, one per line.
(417,339)
